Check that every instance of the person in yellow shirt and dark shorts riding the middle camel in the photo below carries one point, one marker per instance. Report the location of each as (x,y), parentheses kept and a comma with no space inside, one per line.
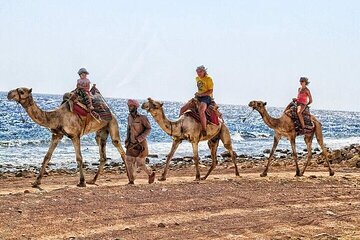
(203,95)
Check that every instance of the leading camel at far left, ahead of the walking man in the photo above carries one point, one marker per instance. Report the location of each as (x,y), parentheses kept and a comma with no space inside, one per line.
(62,121)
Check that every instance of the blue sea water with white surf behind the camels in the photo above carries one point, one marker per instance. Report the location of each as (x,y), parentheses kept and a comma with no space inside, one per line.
(26,143)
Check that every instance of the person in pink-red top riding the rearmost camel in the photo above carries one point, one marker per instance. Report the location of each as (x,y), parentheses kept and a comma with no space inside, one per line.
(303,99)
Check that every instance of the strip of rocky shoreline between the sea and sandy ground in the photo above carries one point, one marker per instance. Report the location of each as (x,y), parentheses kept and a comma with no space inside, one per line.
(348,157)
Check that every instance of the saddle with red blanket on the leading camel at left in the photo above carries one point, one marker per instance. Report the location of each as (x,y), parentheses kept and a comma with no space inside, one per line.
(77,101)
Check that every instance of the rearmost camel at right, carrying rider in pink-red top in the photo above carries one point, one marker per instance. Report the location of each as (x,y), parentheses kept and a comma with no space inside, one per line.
(284,127)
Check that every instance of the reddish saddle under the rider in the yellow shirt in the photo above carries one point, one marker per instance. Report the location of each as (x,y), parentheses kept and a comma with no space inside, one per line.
(213,116)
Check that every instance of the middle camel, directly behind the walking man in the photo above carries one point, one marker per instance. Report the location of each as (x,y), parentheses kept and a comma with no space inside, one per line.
(187,128)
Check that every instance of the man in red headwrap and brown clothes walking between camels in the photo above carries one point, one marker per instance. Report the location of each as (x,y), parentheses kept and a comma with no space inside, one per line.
(136,146)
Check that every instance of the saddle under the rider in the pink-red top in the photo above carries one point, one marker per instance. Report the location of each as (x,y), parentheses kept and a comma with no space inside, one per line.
(292,113)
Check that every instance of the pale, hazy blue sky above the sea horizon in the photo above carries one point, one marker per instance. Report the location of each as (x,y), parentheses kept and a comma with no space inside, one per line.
(253,49)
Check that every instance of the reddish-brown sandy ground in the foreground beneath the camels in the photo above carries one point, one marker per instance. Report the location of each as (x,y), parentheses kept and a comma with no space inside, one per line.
(279,206)
